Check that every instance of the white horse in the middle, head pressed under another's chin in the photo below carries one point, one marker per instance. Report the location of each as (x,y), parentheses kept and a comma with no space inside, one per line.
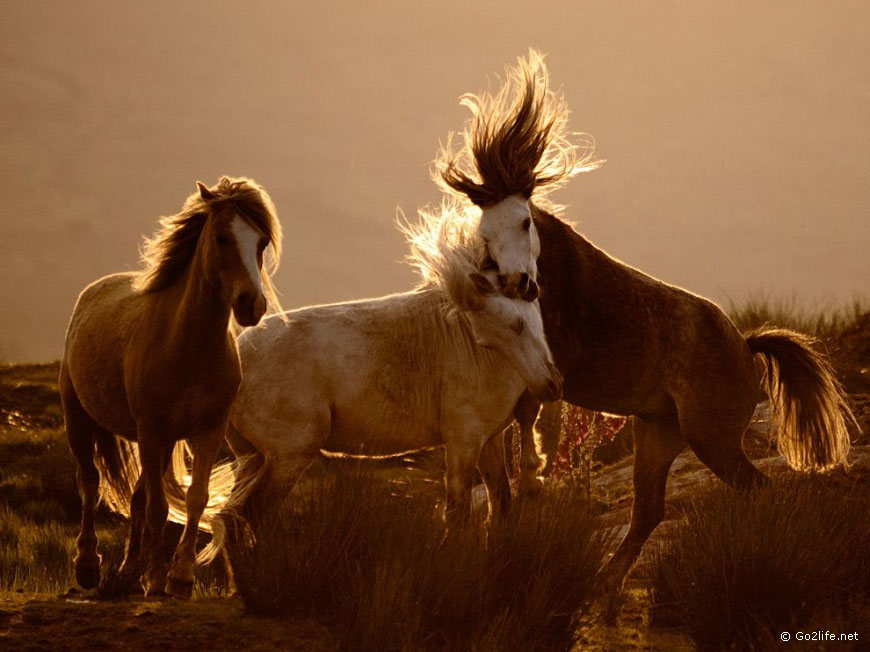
(443,364)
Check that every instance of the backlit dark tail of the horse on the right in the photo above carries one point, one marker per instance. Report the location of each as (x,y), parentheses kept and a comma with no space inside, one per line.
(809,407)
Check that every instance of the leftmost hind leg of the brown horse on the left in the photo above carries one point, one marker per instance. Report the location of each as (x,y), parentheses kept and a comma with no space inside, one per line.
(81,432)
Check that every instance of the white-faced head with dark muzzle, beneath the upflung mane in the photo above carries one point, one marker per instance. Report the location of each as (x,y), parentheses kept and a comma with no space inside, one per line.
(512,245)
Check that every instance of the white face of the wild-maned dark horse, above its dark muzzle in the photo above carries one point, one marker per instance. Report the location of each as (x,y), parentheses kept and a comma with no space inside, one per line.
(511,237)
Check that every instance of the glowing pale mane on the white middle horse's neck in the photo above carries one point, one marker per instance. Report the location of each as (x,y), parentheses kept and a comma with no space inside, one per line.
(445,249)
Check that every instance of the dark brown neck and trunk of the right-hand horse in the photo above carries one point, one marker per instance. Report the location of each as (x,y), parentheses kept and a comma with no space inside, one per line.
(625,341)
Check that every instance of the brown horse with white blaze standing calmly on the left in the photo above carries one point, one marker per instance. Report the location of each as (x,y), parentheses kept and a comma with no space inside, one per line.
(151,358)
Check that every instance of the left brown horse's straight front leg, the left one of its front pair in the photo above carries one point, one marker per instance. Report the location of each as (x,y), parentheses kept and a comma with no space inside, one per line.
(154,455)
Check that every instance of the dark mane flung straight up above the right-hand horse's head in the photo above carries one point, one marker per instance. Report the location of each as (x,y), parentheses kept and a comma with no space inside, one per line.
(516,142)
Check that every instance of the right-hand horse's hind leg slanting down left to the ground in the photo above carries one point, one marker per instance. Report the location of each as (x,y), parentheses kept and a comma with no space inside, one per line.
(656,445)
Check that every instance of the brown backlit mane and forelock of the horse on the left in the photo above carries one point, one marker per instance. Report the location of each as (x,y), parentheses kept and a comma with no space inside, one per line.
(168,253)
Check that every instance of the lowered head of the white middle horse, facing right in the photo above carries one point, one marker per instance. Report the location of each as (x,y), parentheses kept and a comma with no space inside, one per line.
(515,329)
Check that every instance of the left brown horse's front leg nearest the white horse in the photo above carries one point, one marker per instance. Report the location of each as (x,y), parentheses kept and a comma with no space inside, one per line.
(205,448)
